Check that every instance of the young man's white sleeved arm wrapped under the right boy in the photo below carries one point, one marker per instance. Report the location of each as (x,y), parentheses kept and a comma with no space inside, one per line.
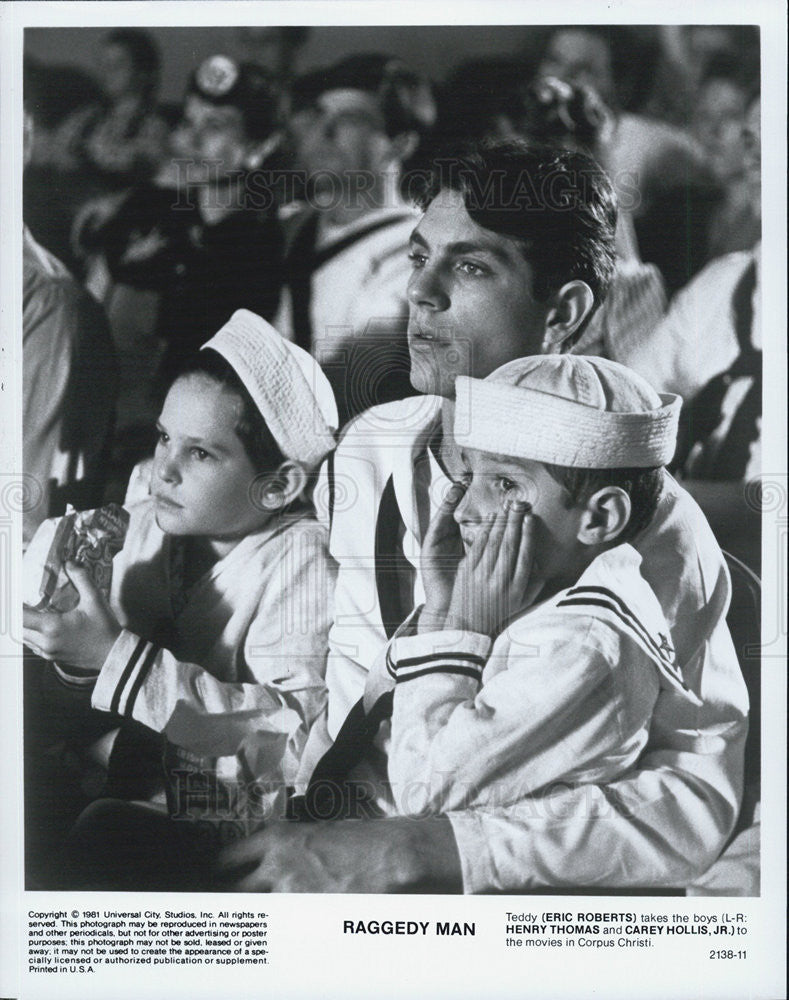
(660,825)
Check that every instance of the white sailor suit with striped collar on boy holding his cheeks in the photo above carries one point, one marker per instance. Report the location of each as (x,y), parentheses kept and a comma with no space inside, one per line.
(564,694)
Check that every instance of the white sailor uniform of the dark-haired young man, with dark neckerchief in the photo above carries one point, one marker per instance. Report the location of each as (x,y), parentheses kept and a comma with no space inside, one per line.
(662,823)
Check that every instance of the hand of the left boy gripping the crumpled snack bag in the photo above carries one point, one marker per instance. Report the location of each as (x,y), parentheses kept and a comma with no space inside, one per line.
(82,637)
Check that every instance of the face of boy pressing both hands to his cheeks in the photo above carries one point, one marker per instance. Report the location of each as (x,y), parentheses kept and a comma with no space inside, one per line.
(495,480)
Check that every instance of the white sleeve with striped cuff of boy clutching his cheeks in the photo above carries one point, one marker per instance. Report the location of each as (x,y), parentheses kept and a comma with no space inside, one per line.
(573,706)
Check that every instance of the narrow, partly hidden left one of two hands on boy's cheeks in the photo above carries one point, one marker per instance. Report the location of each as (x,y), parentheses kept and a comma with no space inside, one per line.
(442,551)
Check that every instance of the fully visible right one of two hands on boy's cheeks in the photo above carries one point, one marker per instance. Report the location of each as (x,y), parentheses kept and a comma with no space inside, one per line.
(494,582)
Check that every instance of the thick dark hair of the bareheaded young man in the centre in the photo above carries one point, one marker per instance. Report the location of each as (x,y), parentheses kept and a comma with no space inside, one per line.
(558,205)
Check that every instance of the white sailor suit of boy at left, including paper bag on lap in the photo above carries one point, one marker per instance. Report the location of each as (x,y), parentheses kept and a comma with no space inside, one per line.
(230,671)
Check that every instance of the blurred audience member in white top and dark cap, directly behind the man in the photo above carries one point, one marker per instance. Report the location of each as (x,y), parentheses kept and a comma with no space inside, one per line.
(353,127)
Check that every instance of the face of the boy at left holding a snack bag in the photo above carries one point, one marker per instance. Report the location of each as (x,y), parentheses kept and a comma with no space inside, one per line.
(202,476)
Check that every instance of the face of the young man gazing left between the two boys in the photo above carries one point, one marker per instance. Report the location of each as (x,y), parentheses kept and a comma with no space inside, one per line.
(470,300)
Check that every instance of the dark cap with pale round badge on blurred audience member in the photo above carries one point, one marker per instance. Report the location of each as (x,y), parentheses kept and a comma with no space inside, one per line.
(222,81)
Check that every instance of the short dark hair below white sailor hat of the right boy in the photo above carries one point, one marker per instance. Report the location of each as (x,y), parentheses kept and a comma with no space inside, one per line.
(643,486)
